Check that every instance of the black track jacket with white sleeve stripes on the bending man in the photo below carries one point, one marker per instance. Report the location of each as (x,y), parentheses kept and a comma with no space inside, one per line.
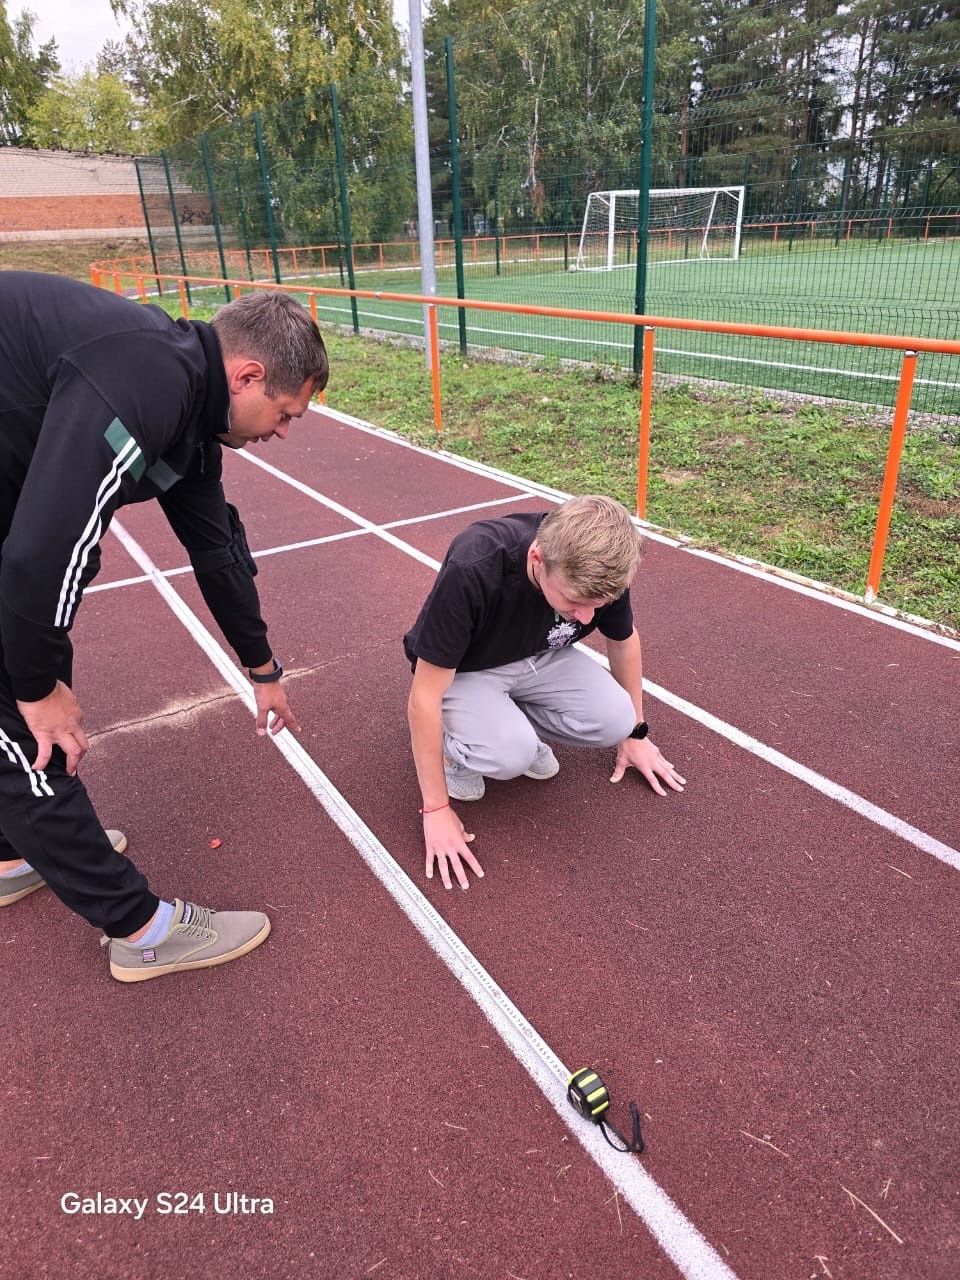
(106,403)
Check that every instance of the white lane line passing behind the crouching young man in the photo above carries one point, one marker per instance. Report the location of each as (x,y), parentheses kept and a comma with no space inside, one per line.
(851,799)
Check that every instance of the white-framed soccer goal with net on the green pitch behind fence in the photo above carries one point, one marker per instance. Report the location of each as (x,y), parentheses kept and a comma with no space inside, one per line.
(687,225)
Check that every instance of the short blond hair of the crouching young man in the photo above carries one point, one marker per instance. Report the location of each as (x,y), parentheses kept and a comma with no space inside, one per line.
(593,543)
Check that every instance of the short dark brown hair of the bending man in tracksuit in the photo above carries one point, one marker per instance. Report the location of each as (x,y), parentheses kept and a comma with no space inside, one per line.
(277,331)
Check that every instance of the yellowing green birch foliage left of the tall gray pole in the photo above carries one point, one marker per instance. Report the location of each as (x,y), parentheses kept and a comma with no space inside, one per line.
(208,68)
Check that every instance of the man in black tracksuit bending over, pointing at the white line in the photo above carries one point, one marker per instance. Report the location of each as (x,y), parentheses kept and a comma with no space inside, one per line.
(106,403)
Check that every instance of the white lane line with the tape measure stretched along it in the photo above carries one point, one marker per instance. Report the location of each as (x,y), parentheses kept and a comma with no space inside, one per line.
(693,1256)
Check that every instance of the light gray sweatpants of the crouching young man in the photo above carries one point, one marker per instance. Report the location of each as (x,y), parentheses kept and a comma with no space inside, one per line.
(492,720)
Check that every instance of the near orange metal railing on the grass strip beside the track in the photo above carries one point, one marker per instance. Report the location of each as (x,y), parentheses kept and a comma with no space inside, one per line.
(912,348)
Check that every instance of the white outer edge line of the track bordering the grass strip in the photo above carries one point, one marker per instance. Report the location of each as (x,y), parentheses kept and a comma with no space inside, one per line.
(821,592)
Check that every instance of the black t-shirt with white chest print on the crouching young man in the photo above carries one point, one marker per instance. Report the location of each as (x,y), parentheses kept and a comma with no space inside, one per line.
(484,611)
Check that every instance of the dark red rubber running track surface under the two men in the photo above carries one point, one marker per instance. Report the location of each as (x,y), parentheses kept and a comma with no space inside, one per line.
(770,971)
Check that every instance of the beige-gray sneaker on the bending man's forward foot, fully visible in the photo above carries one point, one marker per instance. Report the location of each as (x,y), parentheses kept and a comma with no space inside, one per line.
(199,939)
